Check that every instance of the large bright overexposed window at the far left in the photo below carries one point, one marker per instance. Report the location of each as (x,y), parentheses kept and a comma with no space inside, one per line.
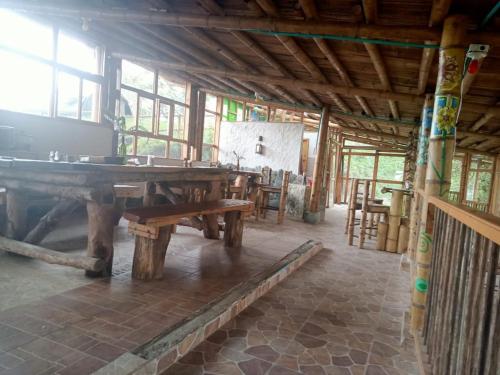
(46,72)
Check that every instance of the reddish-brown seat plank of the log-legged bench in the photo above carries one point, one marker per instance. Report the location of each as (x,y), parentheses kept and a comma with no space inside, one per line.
(170,214)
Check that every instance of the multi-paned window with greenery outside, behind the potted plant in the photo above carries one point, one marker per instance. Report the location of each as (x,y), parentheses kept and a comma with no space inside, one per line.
(155,113)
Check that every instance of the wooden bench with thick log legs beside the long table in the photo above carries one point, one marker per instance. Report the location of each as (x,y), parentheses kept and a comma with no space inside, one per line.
(152,227)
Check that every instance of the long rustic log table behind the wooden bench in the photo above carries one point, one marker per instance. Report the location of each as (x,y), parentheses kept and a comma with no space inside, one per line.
(93,185)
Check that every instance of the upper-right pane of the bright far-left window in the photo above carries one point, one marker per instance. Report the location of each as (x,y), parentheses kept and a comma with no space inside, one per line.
(77,54)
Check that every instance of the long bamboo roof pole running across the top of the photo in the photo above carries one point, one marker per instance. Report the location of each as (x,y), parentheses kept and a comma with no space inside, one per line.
(399,33)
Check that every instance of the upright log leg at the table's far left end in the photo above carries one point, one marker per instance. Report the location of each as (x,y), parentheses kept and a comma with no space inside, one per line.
(16,213)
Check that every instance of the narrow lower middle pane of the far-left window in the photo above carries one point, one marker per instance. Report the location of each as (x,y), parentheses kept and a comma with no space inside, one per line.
(68,94)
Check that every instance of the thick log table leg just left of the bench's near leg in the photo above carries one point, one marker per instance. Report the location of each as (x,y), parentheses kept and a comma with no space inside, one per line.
(102,218)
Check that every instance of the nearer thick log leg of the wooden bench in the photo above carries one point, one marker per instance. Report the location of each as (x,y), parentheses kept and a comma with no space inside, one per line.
(149,255)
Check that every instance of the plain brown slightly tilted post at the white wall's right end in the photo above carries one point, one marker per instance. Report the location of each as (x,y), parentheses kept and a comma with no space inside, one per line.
(313,215)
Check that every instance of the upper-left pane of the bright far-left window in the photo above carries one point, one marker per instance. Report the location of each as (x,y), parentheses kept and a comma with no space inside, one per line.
(24,34)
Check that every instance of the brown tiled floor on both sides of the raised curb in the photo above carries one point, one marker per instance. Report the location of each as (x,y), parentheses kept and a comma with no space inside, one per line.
(339,314)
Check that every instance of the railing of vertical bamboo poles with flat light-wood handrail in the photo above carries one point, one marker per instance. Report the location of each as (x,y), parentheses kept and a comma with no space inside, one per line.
(461,330)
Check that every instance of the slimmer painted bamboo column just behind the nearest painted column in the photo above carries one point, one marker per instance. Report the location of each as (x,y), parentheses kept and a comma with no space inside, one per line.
(419,181)
